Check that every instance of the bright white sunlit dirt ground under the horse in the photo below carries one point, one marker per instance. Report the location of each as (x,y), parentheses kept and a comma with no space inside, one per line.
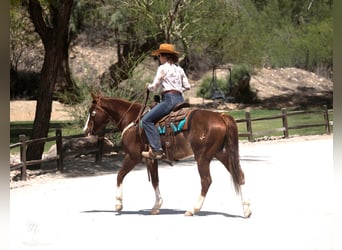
(287,181)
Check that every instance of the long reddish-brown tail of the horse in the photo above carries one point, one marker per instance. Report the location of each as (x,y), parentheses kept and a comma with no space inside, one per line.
(232,146)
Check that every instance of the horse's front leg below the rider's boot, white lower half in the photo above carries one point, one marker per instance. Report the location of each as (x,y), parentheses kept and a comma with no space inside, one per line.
(152,167)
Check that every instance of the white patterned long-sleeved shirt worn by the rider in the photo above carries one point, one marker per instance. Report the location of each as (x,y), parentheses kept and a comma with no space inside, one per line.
(169,77)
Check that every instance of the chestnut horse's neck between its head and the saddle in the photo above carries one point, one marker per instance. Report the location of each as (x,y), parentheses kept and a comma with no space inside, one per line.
(122,112)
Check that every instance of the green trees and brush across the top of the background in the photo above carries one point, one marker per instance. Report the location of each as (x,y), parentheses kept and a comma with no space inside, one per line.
(276,33)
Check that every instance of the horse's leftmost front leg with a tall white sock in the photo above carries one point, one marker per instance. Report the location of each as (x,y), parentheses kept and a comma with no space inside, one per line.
(127,166)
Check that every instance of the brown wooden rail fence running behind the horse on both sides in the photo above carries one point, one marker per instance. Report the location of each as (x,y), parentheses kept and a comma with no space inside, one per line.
(98,150)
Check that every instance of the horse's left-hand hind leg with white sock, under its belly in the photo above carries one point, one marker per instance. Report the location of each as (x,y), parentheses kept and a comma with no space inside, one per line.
(204,171)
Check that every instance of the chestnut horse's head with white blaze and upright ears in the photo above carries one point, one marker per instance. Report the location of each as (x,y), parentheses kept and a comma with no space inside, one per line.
(97,117)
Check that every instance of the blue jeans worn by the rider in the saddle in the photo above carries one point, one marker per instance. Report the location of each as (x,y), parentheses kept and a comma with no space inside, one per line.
(169,101)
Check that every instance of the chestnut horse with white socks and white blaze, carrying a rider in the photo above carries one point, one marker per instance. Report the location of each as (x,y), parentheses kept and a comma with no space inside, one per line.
(210,135)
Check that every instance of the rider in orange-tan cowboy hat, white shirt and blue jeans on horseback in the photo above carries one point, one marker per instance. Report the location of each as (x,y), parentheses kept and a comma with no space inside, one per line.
(172,81)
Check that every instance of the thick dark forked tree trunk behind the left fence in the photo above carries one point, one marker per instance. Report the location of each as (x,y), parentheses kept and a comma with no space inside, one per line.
(52,26)
